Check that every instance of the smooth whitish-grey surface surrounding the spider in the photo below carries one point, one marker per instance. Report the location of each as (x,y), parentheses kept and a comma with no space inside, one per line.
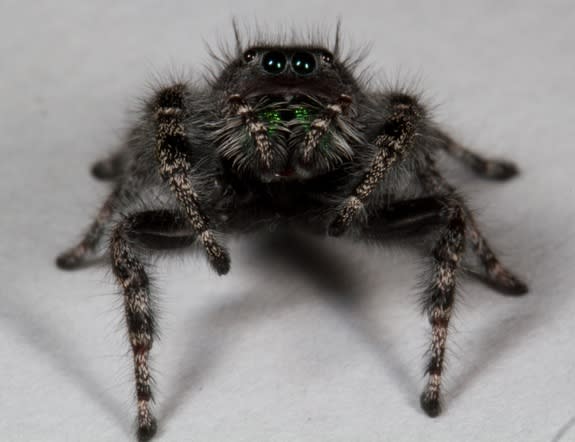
(274,352)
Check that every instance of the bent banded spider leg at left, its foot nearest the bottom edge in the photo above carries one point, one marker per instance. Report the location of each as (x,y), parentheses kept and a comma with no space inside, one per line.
(130,237)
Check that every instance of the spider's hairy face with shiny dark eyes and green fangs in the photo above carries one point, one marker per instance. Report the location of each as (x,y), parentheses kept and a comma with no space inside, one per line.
(288,113)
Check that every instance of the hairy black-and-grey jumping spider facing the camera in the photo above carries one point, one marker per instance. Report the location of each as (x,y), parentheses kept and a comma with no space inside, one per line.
(285,134)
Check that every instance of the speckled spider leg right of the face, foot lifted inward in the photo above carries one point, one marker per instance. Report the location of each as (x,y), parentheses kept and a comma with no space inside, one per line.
(395,139)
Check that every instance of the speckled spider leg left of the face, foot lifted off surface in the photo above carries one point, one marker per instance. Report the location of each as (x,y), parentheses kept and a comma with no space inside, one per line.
(172,147)
